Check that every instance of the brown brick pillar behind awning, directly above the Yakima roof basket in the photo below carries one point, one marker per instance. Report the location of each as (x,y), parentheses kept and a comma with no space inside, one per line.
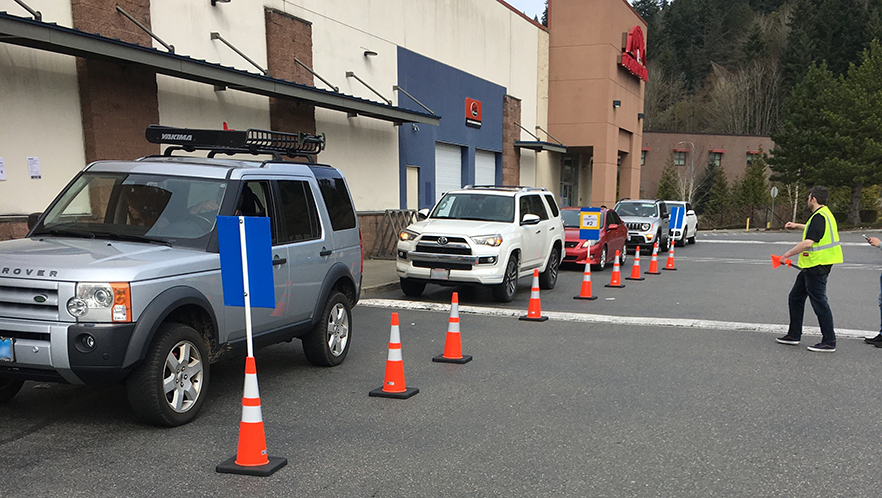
(288,37)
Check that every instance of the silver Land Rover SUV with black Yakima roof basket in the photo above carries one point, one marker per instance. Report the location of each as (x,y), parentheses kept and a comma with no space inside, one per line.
(119,280)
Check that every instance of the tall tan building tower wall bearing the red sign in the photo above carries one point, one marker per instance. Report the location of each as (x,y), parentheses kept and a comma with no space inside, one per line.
(585,78)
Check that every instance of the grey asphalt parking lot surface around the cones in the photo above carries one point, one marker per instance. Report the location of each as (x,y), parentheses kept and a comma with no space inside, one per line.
(568,407)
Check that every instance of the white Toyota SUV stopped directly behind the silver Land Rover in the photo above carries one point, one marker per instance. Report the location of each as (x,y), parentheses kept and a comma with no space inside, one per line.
(484,235)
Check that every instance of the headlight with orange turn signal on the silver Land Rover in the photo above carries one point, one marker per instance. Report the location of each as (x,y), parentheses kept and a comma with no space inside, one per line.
(101,302)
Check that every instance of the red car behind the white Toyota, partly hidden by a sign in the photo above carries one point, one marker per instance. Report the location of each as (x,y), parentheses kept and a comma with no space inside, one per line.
(613,236)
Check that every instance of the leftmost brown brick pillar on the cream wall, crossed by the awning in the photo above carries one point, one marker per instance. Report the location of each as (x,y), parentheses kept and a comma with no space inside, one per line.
(117,102)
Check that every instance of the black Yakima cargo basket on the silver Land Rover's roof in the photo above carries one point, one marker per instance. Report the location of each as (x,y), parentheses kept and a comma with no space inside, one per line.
(250,141)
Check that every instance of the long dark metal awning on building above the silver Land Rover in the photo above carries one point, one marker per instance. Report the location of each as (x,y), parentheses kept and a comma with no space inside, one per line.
(53,38)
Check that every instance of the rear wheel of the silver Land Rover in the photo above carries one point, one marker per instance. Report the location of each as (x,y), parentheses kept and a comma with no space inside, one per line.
(327,344)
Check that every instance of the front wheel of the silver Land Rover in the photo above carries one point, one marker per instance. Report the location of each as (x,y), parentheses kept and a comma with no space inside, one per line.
(151,401)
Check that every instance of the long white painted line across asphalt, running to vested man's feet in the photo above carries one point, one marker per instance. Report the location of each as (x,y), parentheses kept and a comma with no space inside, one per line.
(613,320)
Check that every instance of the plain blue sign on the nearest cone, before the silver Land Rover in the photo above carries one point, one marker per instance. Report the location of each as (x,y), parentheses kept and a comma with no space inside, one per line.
(259,254)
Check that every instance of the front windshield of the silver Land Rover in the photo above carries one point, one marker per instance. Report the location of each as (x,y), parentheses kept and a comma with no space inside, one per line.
(148,208)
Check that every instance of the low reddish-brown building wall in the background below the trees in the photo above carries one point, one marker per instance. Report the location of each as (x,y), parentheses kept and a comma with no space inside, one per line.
(659,148)
